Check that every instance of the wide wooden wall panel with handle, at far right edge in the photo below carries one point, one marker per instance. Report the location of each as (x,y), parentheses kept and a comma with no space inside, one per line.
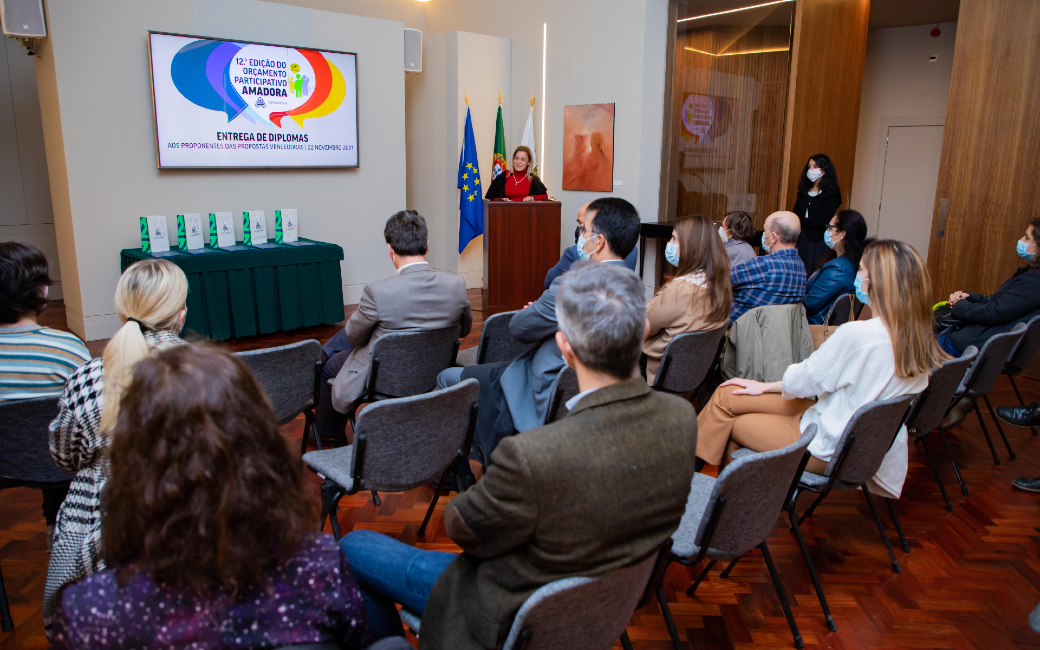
(991,167)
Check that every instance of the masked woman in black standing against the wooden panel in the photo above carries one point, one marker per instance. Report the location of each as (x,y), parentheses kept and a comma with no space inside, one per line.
(819,198)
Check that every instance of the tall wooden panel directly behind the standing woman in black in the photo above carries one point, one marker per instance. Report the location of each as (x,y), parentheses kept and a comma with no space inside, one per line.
(826,81)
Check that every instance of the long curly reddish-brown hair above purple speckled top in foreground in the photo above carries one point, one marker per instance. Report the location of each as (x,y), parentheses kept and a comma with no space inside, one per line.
(205,492)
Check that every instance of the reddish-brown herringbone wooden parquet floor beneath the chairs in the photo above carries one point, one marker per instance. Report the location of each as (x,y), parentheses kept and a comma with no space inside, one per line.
(971,581)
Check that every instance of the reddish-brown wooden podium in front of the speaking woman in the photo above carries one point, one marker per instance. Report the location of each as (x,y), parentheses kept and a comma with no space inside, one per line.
(522,244)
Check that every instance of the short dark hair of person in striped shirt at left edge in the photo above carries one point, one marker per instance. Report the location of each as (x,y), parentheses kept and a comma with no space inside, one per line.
(23,274)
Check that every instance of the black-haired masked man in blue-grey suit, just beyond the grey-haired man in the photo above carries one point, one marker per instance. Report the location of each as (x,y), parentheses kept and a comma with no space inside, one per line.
(515,396)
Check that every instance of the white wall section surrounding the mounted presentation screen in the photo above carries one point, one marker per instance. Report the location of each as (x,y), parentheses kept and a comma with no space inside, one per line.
(101,151)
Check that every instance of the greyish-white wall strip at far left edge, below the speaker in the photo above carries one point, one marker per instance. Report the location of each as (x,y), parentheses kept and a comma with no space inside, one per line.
(25,193)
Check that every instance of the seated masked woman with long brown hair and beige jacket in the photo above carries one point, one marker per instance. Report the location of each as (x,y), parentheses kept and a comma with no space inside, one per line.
(698,298)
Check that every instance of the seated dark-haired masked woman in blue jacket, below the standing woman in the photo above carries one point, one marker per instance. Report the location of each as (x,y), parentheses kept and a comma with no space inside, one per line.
(845,236)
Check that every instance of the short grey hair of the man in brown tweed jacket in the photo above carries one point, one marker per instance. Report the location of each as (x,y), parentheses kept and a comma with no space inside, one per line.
(601,308)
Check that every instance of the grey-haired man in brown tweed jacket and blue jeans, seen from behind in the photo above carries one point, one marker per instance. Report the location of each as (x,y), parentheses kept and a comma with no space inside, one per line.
(534,517)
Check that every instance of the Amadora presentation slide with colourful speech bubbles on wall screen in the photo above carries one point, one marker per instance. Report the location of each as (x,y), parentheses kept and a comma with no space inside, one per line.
(237,105)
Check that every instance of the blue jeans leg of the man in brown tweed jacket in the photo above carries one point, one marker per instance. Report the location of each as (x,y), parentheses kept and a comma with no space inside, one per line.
(389,571)
